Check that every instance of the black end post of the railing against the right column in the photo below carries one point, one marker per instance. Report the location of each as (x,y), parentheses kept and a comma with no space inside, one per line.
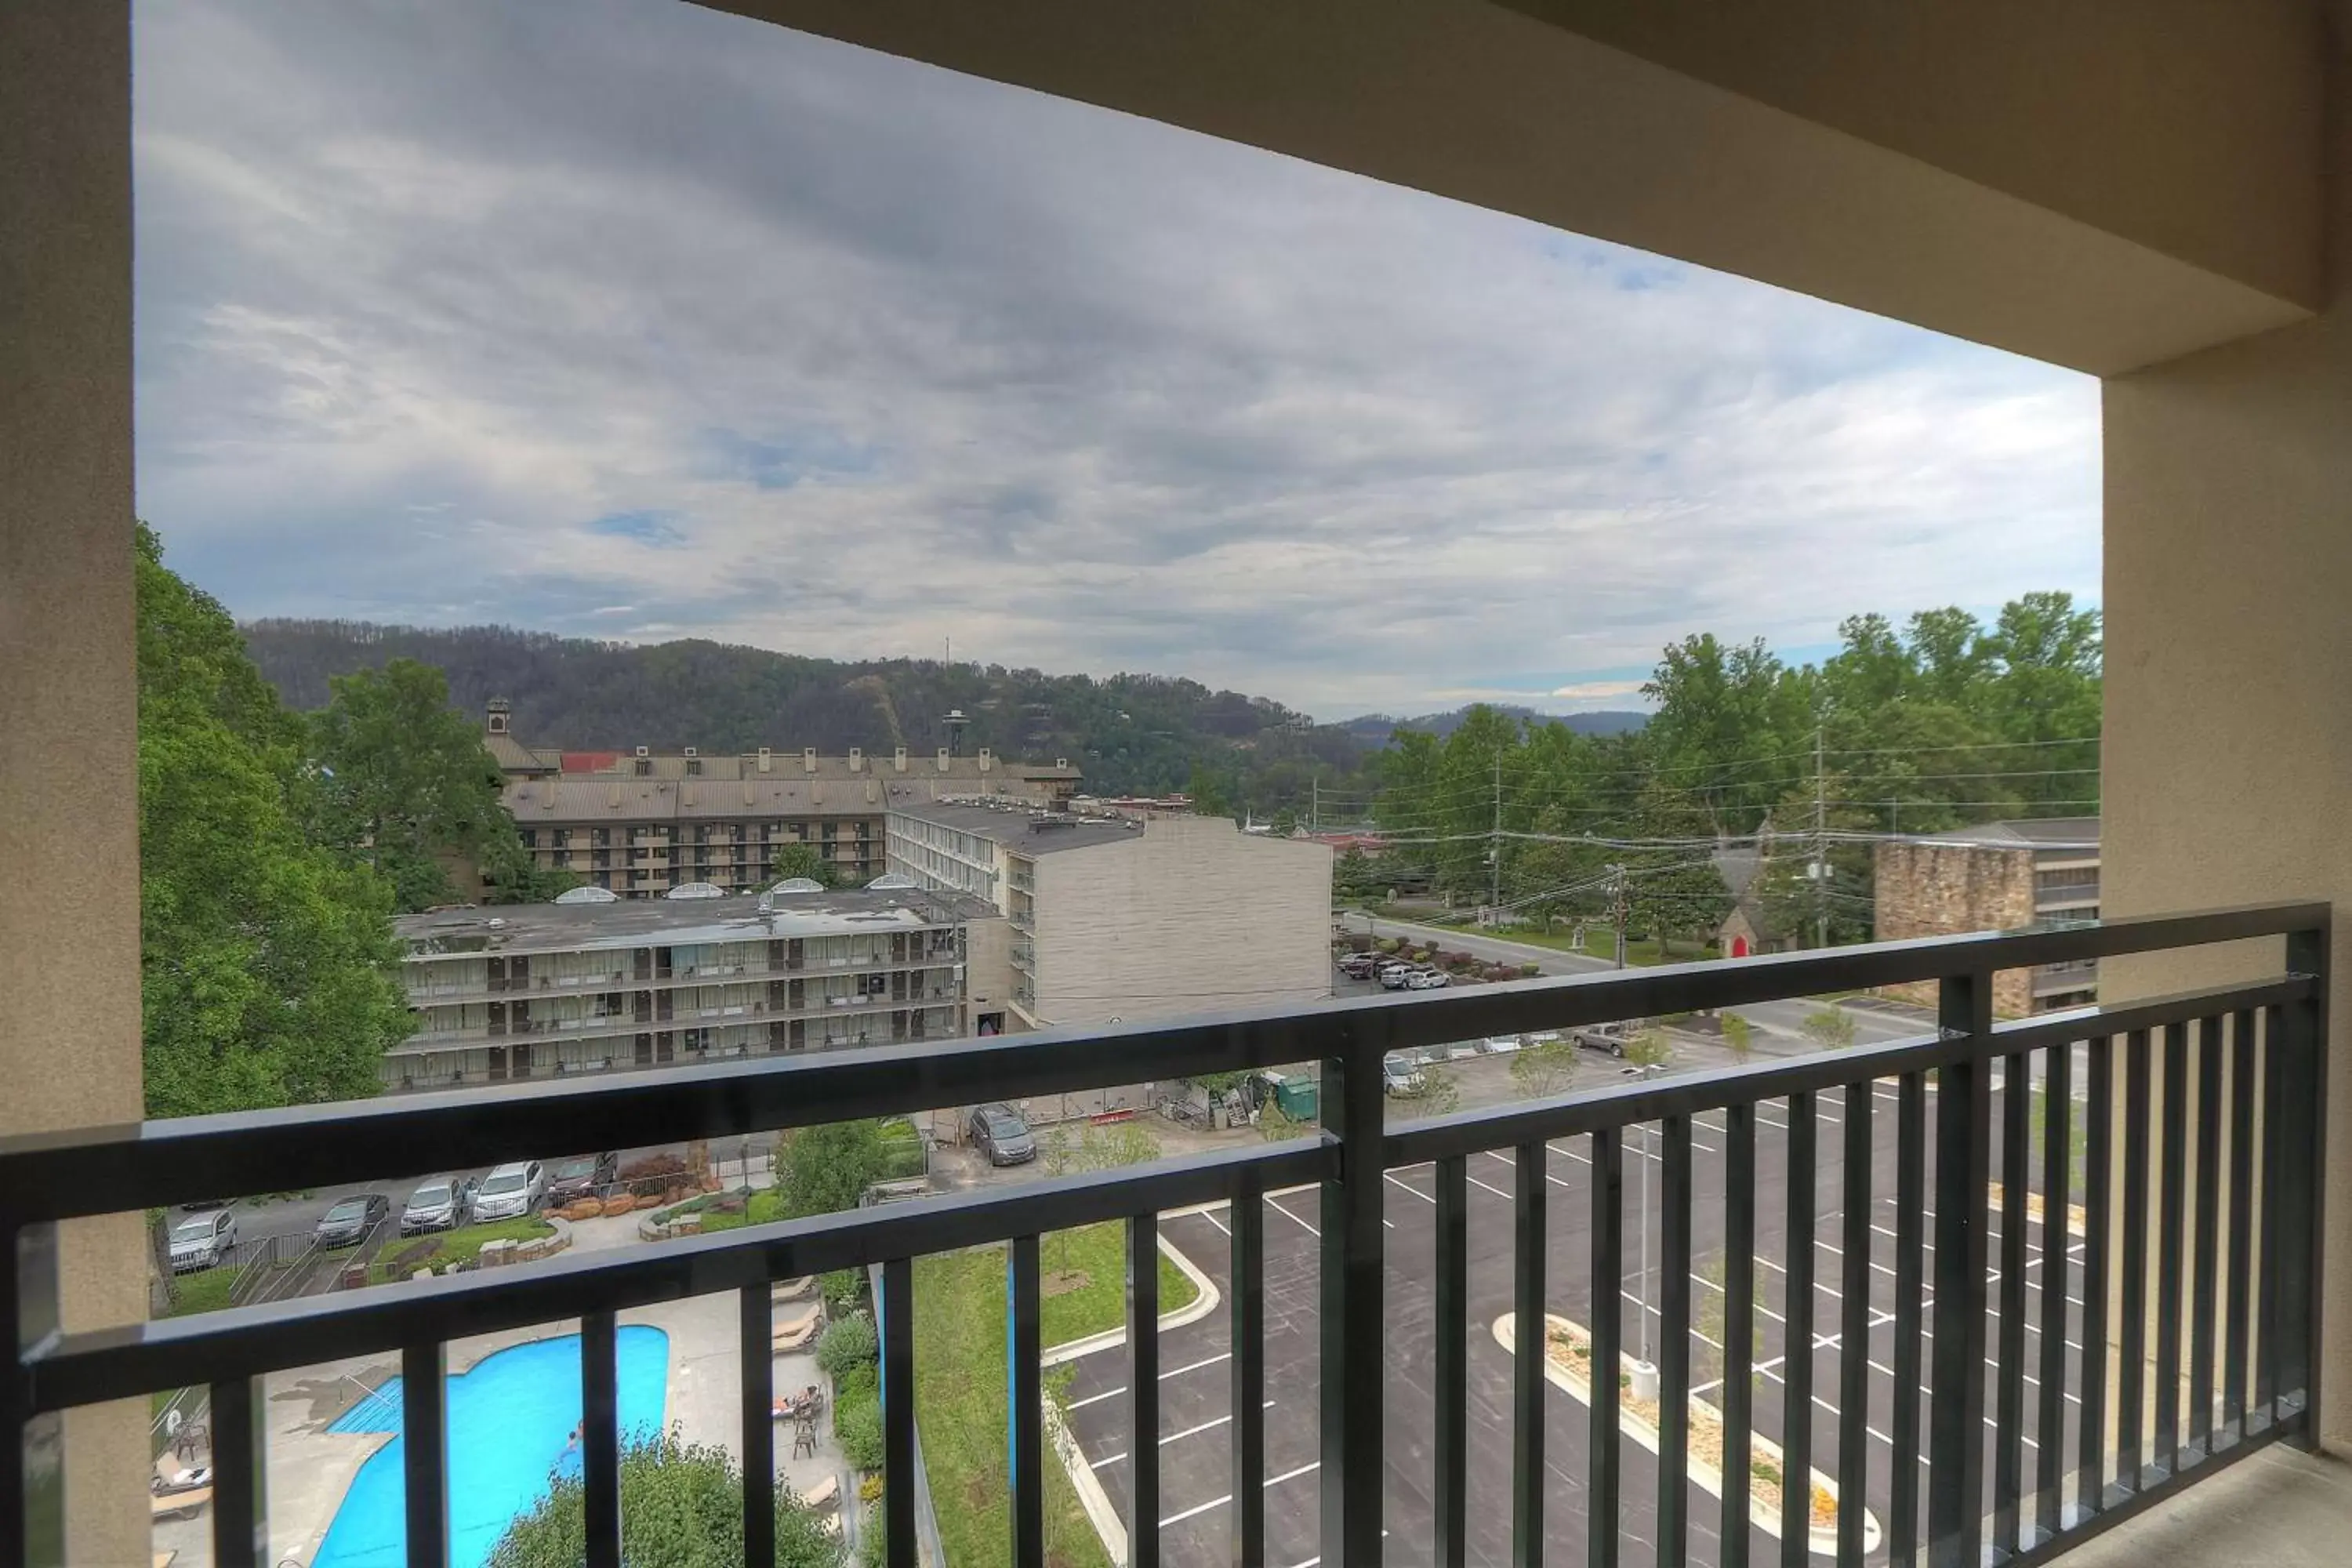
(2304,1221)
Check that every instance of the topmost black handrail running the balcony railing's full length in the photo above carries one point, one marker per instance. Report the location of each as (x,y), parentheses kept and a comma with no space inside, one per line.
(142,1165)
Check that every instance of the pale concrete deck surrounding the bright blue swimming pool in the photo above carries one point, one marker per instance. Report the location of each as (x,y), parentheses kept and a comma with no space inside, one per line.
(312,1468)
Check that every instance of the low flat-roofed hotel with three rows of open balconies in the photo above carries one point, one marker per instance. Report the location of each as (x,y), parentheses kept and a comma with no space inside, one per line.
(592,981)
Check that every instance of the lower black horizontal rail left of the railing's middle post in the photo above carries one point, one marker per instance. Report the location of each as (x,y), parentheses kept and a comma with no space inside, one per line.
(76,1369)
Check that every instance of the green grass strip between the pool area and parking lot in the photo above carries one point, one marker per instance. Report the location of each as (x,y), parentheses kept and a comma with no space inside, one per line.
(961,1386)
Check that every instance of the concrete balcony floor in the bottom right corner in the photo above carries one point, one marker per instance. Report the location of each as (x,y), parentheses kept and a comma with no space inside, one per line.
(2278,1510)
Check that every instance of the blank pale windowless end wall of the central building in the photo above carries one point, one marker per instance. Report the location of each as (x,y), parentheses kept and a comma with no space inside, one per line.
(1189,918)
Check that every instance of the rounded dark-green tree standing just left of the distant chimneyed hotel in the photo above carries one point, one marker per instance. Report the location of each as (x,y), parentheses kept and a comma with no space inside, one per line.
(401,784)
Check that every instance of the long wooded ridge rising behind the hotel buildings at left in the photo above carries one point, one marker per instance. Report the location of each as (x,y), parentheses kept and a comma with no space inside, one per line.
(1128,732)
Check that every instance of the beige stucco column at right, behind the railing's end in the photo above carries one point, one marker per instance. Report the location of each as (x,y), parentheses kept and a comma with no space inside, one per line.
(2229,760)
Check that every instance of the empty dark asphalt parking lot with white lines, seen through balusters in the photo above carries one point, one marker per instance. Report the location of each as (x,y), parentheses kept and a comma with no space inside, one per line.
(1196,1508)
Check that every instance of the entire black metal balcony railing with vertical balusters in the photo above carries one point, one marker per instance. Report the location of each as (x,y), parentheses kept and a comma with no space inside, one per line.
(2196,1146)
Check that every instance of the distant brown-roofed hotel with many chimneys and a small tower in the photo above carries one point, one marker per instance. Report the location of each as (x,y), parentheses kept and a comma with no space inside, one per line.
(643,822)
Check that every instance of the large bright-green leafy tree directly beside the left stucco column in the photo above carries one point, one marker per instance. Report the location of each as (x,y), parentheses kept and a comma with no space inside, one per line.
(267,967)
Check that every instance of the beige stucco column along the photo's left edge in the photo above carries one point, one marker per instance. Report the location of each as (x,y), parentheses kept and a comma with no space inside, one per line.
(69,829)
